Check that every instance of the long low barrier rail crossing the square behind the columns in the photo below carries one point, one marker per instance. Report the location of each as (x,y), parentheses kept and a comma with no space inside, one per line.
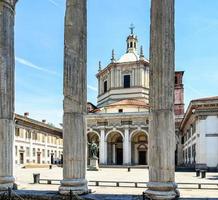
(129,184)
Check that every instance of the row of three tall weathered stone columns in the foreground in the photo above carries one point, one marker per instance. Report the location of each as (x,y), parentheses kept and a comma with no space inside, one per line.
(161,171)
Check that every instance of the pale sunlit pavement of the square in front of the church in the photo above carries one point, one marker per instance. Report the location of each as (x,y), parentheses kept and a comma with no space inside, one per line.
(24,179)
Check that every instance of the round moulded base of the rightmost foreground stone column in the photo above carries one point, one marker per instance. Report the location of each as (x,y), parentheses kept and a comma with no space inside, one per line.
(161,190)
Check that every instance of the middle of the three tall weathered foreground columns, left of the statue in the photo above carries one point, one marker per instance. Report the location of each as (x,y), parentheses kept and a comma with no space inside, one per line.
(75,89)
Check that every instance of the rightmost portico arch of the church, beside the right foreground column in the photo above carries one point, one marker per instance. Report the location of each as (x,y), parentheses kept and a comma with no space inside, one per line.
(139,148)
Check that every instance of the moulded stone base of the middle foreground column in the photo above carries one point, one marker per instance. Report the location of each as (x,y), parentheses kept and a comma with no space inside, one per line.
(76,186)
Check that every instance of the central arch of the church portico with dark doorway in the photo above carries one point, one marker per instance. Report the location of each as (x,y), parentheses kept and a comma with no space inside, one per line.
(114,148)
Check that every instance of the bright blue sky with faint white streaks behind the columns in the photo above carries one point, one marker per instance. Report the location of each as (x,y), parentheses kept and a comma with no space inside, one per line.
(39,48)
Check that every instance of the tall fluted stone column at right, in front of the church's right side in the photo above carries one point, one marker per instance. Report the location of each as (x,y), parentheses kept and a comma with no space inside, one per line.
(162,123)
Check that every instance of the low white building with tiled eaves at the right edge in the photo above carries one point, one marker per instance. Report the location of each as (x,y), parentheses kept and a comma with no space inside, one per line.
(200,133)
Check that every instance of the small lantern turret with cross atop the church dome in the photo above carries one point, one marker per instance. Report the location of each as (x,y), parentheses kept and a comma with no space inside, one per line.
(132,41)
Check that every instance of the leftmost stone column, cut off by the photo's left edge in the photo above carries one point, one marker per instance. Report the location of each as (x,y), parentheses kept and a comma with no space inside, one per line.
(7,126)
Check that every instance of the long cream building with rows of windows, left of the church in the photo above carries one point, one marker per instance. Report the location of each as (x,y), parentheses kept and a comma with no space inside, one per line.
(37,142)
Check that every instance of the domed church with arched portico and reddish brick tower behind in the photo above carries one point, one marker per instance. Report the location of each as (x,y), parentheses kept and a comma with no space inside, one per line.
(119,123)
